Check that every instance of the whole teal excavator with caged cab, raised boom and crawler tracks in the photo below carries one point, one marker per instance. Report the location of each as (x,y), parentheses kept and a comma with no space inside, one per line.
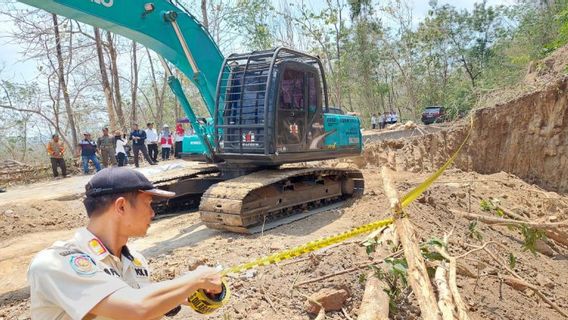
(269,123)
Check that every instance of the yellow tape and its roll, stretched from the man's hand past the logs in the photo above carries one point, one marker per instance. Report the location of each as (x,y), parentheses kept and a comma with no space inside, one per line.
(202,304)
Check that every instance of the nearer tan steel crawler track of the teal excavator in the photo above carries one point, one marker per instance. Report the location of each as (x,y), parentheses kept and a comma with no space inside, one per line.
(243,204)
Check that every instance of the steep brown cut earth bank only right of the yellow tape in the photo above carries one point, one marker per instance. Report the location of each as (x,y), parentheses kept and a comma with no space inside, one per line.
(527,137)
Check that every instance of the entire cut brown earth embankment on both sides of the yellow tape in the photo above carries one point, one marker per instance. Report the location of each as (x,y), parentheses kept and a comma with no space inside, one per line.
(527,137)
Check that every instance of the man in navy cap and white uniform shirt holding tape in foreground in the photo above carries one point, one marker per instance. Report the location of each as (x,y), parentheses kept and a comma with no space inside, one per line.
(96,275)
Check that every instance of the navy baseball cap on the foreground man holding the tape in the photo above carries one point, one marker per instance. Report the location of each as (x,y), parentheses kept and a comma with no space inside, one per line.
(120,180)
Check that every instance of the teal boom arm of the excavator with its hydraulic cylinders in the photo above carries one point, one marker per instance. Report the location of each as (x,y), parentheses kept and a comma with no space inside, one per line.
(168,30)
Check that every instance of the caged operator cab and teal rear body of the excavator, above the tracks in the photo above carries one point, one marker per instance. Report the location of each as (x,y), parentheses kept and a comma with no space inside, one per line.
(271,108)
